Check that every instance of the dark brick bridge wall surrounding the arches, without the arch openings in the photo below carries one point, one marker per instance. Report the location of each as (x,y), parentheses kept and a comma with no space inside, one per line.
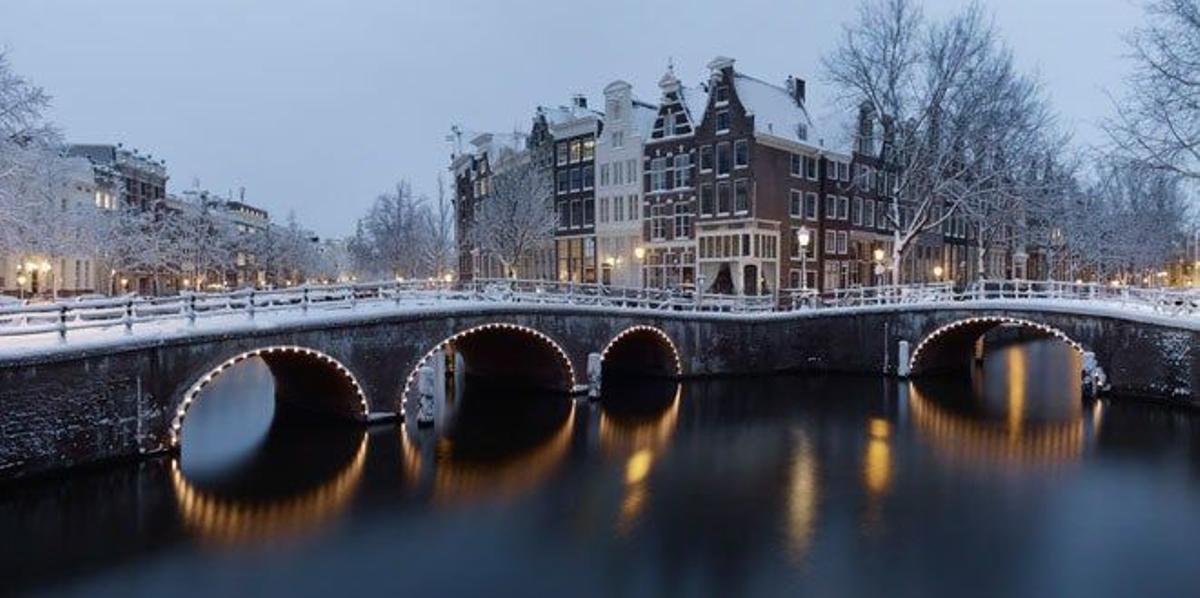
(77,406)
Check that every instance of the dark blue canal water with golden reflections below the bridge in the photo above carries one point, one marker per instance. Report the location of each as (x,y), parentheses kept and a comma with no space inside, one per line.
(1004,485)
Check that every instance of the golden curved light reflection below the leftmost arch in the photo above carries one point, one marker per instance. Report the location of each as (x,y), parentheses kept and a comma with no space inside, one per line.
(223,521)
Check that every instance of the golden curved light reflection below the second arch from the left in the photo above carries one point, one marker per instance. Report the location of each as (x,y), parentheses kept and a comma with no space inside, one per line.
(457,481)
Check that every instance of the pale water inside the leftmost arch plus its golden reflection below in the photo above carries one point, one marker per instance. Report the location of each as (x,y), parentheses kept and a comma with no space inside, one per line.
(239,481)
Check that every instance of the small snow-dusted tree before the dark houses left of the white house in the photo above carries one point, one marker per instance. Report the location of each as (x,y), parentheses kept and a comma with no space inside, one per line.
(517,218)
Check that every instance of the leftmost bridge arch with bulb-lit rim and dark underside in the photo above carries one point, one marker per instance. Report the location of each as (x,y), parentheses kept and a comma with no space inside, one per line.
(296,370)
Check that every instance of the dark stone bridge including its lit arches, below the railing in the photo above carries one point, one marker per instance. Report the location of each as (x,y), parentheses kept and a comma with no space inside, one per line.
(71,405)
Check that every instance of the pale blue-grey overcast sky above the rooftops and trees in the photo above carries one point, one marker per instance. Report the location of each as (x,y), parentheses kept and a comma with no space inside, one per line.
(319,106)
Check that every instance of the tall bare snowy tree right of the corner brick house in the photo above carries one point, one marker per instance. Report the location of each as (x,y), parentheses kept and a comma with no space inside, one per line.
(943,110)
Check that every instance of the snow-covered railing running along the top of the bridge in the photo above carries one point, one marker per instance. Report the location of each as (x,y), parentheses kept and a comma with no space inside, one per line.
(130,312)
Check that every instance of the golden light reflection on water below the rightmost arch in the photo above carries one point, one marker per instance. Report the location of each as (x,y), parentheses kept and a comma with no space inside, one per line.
(962,440)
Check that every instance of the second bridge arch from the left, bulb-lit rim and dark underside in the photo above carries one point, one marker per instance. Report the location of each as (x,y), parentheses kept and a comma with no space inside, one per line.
(493,337)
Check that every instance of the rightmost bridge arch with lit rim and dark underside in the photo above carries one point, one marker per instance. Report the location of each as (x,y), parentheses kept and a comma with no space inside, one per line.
(951,346)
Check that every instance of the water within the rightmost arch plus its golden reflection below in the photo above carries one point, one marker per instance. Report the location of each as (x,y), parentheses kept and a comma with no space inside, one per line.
(1022,408)
